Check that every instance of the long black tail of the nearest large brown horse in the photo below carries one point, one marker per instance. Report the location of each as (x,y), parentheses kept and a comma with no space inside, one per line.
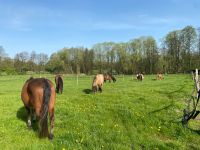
(44,111)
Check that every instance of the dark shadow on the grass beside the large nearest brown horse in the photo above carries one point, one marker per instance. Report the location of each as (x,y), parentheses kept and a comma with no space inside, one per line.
(23,116)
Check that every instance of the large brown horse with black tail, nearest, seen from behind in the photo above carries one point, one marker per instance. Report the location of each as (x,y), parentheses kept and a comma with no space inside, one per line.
(38,96)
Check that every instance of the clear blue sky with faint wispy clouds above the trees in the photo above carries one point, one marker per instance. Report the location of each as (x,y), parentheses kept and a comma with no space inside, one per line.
(49,25)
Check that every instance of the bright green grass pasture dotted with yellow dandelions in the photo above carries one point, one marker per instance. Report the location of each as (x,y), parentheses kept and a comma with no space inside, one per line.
(128,114)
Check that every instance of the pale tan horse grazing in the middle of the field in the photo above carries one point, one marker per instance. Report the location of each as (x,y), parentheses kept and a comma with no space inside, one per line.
(97,83)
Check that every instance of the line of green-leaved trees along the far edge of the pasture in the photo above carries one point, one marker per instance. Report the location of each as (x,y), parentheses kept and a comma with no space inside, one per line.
(179,52)
